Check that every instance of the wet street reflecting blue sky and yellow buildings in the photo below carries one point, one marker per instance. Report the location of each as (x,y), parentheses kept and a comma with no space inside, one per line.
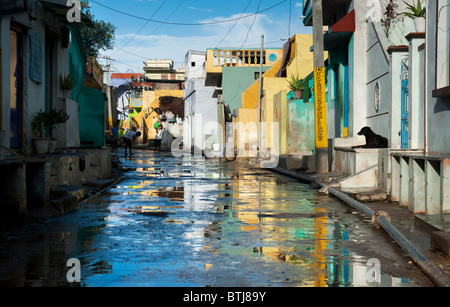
(200,222)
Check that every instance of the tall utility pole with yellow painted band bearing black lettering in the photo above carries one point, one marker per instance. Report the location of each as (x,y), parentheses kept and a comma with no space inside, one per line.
(321,147)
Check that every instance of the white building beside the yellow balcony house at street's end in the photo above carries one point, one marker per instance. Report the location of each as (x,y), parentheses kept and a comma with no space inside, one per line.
(201,123)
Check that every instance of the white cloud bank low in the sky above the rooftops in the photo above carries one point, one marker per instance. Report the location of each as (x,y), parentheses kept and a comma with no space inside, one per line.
(175,47)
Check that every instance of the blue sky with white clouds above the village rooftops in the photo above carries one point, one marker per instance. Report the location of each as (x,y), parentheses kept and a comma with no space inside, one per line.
(170,38)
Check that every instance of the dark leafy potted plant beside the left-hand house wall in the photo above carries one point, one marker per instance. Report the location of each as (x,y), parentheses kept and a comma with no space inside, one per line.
(48,122)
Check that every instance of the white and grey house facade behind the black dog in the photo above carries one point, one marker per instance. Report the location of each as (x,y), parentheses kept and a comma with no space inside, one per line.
(386,72)
